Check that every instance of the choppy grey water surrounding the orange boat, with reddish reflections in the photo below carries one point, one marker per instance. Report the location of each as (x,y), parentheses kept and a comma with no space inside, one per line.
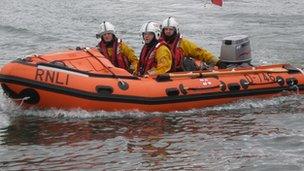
(247,135)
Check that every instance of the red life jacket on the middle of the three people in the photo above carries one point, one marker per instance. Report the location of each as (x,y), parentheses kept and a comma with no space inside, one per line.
(147,58)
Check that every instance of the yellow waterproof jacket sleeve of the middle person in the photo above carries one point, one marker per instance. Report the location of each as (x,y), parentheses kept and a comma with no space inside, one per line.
(163,59)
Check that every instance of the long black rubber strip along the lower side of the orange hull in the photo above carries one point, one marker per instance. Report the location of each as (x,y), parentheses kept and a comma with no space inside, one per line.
(138,99)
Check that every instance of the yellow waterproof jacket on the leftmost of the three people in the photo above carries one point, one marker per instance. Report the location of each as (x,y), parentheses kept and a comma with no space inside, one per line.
(126,52)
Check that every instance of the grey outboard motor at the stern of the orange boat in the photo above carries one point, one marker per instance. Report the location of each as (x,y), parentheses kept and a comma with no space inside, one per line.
(236,51)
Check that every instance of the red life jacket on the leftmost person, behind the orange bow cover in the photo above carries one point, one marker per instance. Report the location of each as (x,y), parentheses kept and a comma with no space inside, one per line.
(117,58)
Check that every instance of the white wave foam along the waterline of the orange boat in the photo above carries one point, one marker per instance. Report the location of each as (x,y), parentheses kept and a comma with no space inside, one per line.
(9,108)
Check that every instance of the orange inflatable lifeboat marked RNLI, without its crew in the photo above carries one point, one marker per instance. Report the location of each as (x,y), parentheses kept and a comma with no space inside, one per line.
(85,79)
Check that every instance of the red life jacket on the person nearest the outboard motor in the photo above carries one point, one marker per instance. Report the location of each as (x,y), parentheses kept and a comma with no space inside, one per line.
(177,54)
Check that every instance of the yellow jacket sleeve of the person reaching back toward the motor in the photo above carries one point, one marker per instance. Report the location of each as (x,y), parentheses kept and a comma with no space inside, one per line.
(190,49)
